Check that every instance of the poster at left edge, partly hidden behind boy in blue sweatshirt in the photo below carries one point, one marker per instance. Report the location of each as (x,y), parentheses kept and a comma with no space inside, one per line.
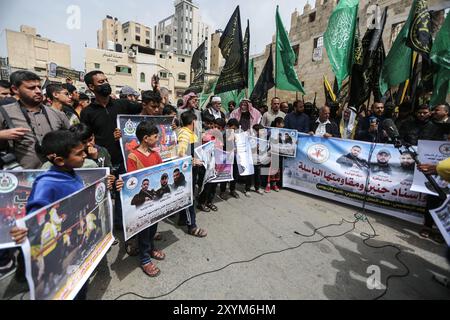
(15,188)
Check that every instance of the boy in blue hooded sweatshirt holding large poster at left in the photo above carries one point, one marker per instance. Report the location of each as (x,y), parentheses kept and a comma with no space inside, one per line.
(66,152)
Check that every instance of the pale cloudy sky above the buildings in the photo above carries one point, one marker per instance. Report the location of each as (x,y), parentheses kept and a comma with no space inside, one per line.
(50,18)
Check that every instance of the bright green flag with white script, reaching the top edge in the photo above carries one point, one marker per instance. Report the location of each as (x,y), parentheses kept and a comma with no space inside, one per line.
(339,38)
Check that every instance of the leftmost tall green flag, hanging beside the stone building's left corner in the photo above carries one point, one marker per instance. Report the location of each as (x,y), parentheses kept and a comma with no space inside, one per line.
(286,78)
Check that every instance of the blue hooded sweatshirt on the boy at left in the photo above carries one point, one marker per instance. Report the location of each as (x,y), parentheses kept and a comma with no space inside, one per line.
(52,186)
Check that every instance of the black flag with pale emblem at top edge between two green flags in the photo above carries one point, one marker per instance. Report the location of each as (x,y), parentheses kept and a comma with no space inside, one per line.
(419,37)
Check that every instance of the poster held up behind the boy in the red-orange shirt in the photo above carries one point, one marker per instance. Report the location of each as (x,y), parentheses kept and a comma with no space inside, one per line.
(167,144)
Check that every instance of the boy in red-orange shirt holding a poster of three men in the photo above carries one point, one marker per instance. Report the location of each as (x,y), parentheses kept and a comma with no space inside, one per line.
(140,158)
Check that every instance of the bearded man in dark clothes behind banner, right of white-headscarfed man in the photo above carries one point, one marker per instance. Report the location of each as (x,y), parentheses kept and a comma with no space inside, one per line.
(370,128)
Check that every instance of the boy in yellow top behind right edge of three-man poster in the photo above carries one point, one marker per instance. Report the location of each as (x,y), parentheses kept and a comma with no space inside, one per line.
(186,141)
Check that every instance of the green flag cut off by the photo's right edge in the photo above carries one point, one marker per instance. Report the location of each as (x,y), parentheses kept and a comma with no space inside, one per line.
(440,55)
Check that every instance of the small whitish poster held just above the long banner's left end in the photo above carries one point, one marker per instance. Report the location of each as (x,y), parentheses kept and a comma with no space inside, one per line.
(283,142)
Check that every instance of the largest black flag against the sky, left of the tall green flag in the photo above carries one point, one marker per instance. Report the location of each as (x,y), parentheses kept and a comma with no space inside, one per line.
(231,45)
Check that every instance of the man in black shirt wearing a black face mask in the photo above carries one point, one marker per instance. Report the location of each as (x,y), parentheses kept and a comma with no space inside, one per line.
(101,117)
